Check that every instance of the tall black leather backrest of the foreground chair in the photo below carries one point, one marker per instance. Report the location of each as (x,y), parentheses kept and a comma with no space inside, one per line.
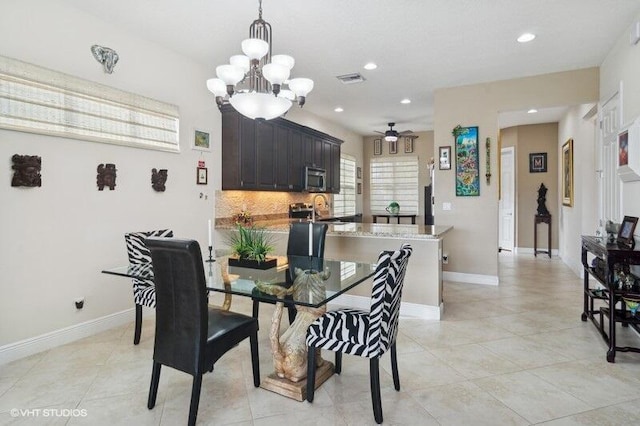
(181,304)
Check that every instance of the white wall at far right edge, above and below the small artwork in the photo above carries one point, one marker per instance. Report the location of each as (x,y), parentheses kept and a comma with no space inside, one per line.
(622,64)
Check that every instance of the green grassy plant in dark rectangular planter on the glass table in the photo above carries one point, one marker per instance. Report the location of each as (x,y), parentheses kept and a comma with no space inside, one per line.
(250,246)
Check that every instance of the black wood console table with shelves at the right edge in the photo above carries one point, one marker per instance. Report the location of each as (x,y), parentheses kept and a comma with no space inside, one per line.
(610,292)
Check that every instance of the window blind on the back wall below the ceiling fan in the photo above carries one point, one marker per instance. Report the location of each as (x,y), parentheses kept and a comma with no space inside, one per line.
(394,179)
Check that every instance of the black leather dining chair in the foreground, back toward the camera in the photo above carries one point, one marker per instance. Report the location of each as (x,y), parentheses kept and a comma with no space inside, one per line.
(191,335)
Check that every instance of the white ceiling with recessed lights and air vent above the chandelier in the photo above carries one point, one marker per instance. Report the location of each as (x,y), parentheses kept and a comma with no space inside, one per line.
(419,45)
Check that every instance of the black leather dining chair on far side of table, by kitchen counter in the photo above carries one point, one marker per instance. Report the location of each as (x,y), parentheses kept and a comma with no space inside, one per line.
(298,245)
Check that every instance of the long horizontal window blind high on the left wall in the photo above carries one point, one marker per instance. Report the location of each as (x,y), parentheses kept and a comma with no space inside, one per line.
(40,100)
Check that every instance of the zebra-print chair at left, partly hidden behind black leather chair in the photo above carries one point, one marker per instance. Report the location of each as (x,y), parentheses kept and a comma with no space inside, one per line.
(144,292)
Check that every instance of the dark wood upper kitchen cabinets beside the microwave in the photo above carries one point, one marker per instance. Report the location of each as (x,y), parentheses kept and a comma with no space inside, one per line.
(272,155)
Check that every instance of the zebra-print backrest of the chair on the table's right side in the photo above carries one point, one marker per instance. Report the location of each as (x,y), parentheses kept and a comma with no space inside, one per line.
(386,293)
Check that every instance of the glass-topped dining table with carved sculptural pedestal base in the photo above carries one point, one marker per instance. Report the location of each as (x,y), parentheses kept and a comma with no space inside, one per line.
(312,283)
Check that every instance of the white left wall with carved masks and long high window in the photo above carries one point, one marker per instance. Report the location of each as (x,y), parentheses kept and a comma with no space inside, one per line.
(57,238)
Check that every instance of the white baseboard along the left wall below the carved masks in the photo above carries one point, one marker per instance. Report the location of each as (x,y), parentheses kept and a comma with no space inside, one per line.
(27,347)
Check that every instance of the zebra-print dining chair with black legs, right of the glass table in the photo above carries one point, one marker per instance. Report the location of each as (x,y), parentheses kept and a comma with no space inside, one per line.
(367,334)
